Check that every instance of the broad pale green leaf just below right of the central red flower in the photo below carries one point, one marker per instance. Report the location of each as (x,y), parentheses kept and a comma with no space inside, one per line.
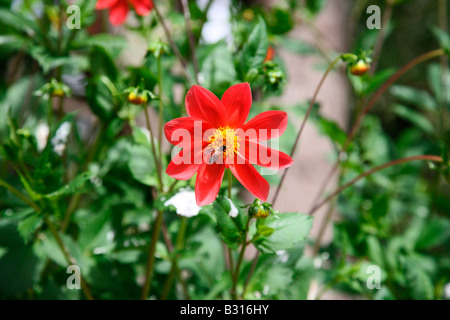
(290,229)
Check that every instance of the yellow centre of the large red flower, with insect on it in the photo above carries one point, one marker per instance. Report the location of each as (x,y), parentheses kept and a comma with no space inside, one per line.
(223,144)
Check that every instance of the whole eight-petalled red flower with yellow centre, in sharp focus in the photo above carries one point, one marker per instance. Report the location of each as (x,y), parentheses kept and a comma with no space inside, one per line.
(215,136)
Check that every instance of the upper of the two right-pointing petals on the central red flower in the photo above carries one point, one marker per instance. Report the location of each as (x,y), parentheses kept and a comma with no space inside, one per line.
(266,125)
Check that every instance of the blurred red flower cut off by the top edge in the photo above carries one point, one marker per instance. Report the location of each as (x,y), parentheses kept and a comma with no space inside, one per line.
(118,9)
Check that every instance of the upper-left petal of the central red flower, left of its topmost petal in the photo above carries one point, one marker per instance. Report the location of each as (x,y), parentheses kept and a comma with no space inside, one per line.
(202,103)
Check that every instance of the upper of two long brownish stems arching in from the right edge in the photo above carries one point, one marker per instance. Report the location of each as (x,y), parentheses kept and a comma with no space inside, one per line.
(367,108)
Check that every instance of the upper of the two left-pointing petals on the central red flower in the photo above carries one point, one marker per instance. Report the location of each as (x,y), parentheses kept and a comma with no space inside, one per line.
(185,131)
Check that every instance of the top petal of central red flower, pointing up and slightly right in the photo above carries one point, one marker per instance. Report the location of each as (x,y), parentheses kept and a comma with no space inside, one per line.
(237,101)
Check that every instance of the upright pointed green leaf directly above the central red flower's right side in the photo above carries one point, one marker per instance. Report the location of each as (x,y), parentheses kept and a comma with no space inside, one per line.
(255,49)
